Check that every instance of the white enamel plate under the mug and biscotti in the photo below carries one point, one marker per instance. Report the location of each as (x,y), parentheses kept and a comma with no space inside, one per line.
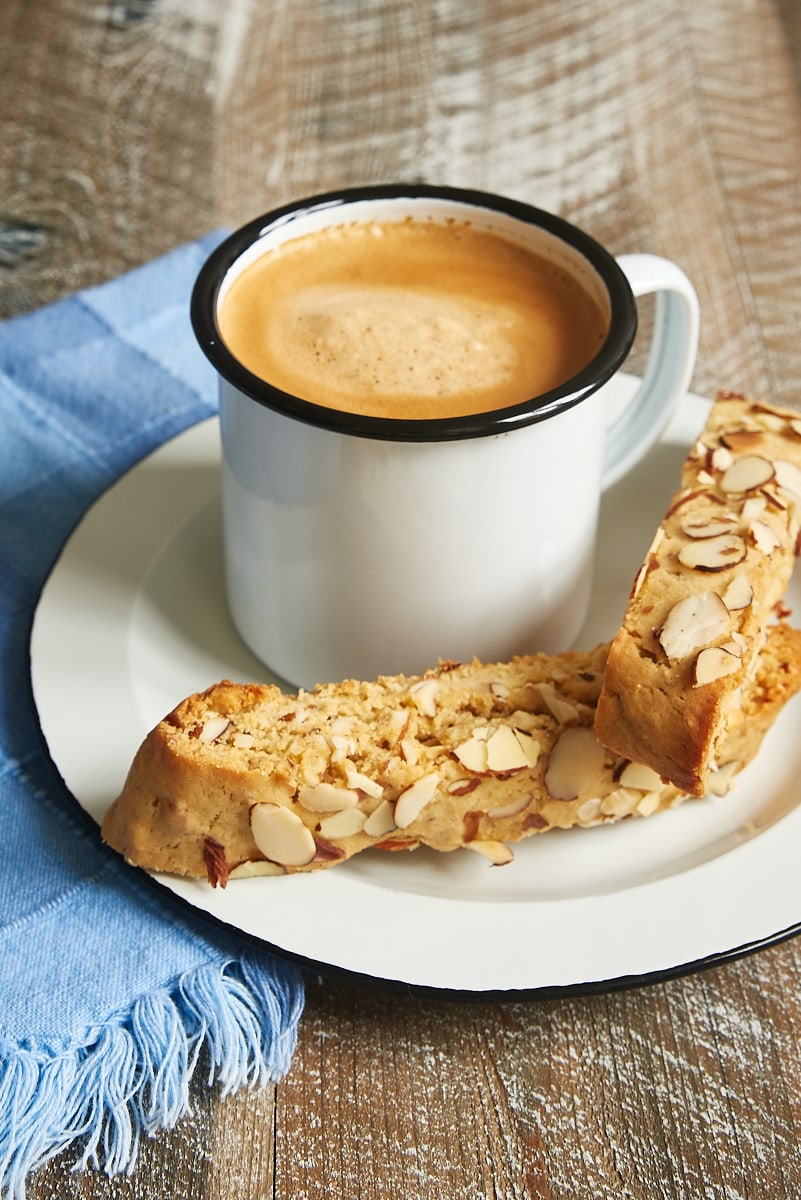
(134,619)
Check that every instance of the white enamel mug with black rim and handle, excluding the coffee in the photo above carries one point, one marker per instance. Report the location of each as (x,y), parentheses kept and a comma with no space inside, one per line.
(359,547)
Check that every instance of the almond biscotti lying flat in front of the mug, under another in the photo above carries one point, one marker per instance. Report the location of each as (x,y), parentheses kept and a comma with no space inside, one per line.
(244,779)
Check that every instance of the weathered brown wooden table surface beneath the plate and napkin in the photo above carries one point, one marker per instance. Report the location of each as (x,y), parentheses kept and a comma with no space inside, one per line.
(663,125)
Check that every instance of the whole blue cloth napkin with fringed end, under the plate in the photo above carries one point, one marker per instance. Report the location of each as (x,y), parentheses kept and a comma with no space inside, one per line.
(111,997)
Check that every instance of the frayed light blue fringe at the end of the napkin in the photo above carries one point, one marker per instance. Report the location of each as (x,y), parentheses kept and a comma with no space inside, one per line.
(134,1077)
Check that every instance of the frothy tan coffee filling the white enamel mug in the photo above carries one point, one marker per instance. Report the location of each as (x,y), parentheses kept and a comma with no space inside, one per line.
(409,321)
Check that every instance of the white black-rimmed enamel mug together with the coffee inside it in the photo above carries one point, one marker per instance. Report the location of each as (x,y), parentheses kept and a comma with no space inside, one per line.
(414,421)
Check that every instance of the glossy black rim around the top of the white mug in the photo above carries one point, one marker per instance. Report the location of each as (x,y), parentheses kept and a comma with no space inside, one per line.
(448,429)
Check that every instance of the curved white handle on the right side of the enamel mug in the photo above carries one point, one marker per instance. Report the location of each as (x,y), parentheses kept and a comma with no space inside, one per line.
(671,363)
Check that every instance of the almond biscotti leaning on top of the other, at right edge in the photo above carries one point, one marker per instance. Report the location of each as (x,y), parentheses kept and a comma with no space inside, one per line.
(712,583)
